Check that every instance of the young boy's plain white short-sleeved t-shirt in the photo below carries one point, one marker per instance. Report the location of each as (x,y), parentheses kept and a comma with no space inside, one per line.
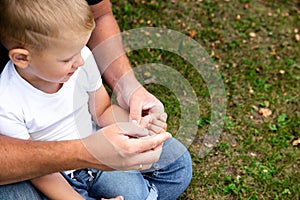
(28,112)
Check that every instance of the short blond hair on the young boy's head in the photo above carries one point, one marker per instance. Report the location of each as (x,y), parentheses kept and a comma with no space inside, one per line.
(36,23)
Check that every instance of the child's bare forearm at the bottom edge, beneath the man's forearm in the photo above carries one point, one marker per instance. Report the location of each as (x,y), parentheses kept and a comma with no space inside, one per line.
(55,186)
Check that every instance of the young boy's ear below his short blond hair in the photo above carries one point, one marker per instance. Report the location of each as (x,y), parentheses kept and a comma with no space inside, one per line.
(20,57)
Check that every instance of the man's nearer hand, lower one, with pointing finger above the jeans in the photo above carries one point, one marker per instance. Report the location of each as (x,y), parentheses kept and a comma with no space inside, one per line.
(122,146)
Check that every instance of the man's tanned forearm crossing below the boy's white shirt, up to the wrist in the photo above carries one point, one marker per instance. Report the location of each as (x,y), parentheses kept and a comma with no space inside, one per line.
(26,159)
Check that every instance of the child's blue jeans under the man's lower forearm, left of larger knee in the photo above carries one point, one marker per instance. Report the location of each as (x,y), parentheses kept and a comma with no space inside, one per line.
(111,184)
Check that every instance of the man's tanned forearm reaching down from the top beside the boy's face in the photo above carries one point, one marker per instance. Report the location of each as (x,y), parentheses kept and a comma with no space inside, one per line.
(106,44)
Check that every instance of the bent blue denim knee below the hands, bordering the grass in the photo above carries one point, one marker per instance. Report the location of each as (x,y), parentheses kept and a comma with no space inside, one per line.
(173,172)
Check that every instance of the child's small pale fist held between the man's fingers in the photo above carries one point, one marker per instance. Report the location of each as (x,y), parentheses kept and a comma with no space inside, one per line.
(156,124)
